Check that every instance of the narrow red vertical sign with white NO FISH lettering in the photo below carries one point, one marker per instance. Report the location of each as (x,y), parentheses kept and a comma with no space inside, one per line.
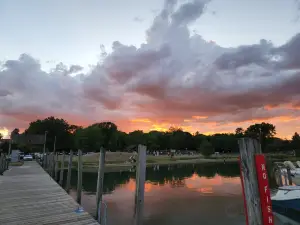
(264,190)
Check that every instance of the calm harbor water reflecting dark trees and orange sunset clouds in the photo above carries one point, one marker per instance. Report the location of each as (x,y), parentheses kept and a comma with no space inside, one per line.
(174,195)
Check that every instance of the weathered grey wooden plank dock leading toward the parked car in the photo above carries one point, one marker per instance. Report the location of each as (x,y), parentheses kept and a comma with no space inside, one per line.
(28,195)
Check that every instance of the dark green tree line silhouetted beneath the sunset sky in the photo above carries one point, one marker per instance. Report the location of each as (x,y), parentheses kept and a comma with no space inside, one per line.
(107,135)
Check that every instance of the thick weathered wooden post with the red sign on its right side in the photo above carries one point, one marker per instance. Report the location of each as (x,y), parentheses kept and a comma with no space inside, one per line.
(248,148)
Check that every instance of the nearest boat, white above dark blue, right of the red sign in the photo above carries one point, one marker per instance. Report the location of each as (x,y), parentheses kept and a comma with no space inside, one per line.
(287,202)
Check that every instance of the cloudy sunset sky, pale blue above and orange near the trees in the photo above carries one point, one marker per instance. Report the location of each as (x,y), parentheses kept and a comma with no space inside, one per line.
(207,66)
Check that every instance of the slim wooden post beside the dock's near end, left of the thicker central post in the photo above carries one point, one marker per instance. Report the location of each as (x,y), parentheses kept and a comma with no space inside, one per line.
(100,183)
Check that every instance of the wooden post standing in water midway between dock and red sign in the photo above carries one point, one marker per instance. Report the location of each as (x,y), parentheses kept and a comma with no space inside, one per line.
(140,185)
